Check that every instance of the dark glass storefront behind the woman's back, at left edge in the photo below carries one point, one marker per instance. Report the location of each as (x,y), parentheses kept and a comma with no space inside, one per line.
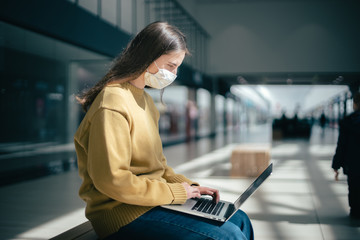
(37,102)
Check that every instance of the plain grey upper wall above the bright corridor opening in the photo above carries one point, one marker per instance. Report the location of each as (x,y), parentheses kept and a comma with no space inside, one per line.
(324,44)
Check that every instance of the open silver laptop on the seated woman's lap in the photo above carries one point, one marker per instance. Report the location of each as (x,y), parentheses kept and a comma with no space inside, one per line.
(223,210)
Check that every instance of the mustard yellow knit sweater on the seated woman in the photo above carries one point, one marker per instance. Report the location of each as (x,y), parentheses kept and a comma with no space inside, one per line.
(121,161)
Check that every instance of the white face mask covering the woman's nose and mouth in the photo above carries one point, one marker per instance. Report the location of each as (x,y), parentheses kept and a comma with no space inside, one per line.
(159,80)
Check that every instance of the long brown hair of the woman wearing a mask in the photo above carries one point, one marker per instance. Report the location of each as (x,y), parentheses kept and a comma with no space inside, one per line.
(154,40)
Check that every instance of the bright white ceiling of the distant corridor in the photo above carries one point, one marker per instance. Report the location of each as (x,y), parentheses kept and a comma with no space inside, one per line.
(290,99)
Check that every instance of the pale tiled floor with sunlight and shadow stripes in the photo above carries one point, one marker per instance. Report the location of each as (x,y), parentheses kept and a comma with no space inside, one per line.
(299,201)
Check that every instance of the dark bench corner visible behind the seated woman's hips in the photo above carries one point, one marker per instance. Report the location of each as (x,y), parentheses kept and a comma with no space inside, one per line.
(83,231)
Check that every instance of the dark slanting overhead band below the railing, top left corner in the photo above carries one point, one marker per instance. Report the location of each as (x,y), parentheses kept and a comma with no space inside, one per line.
(65,21)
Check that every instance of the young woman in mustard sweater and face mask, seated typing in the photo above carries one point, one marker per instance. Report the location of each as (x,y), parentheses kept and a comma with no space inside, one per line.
(120,157)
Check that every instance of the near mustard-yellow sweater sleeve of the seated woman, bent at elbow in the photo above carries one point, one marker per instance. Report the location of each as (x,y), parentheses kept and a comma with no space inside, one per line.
(109,158)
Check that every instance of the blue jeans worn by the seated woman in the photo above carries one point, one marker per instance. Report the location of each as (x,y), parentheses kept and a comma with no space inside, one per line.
(160,223)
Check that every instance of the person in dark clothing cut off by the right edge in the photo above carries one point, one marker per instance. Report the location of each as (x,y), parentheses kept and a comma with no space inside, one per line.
(347,155)
